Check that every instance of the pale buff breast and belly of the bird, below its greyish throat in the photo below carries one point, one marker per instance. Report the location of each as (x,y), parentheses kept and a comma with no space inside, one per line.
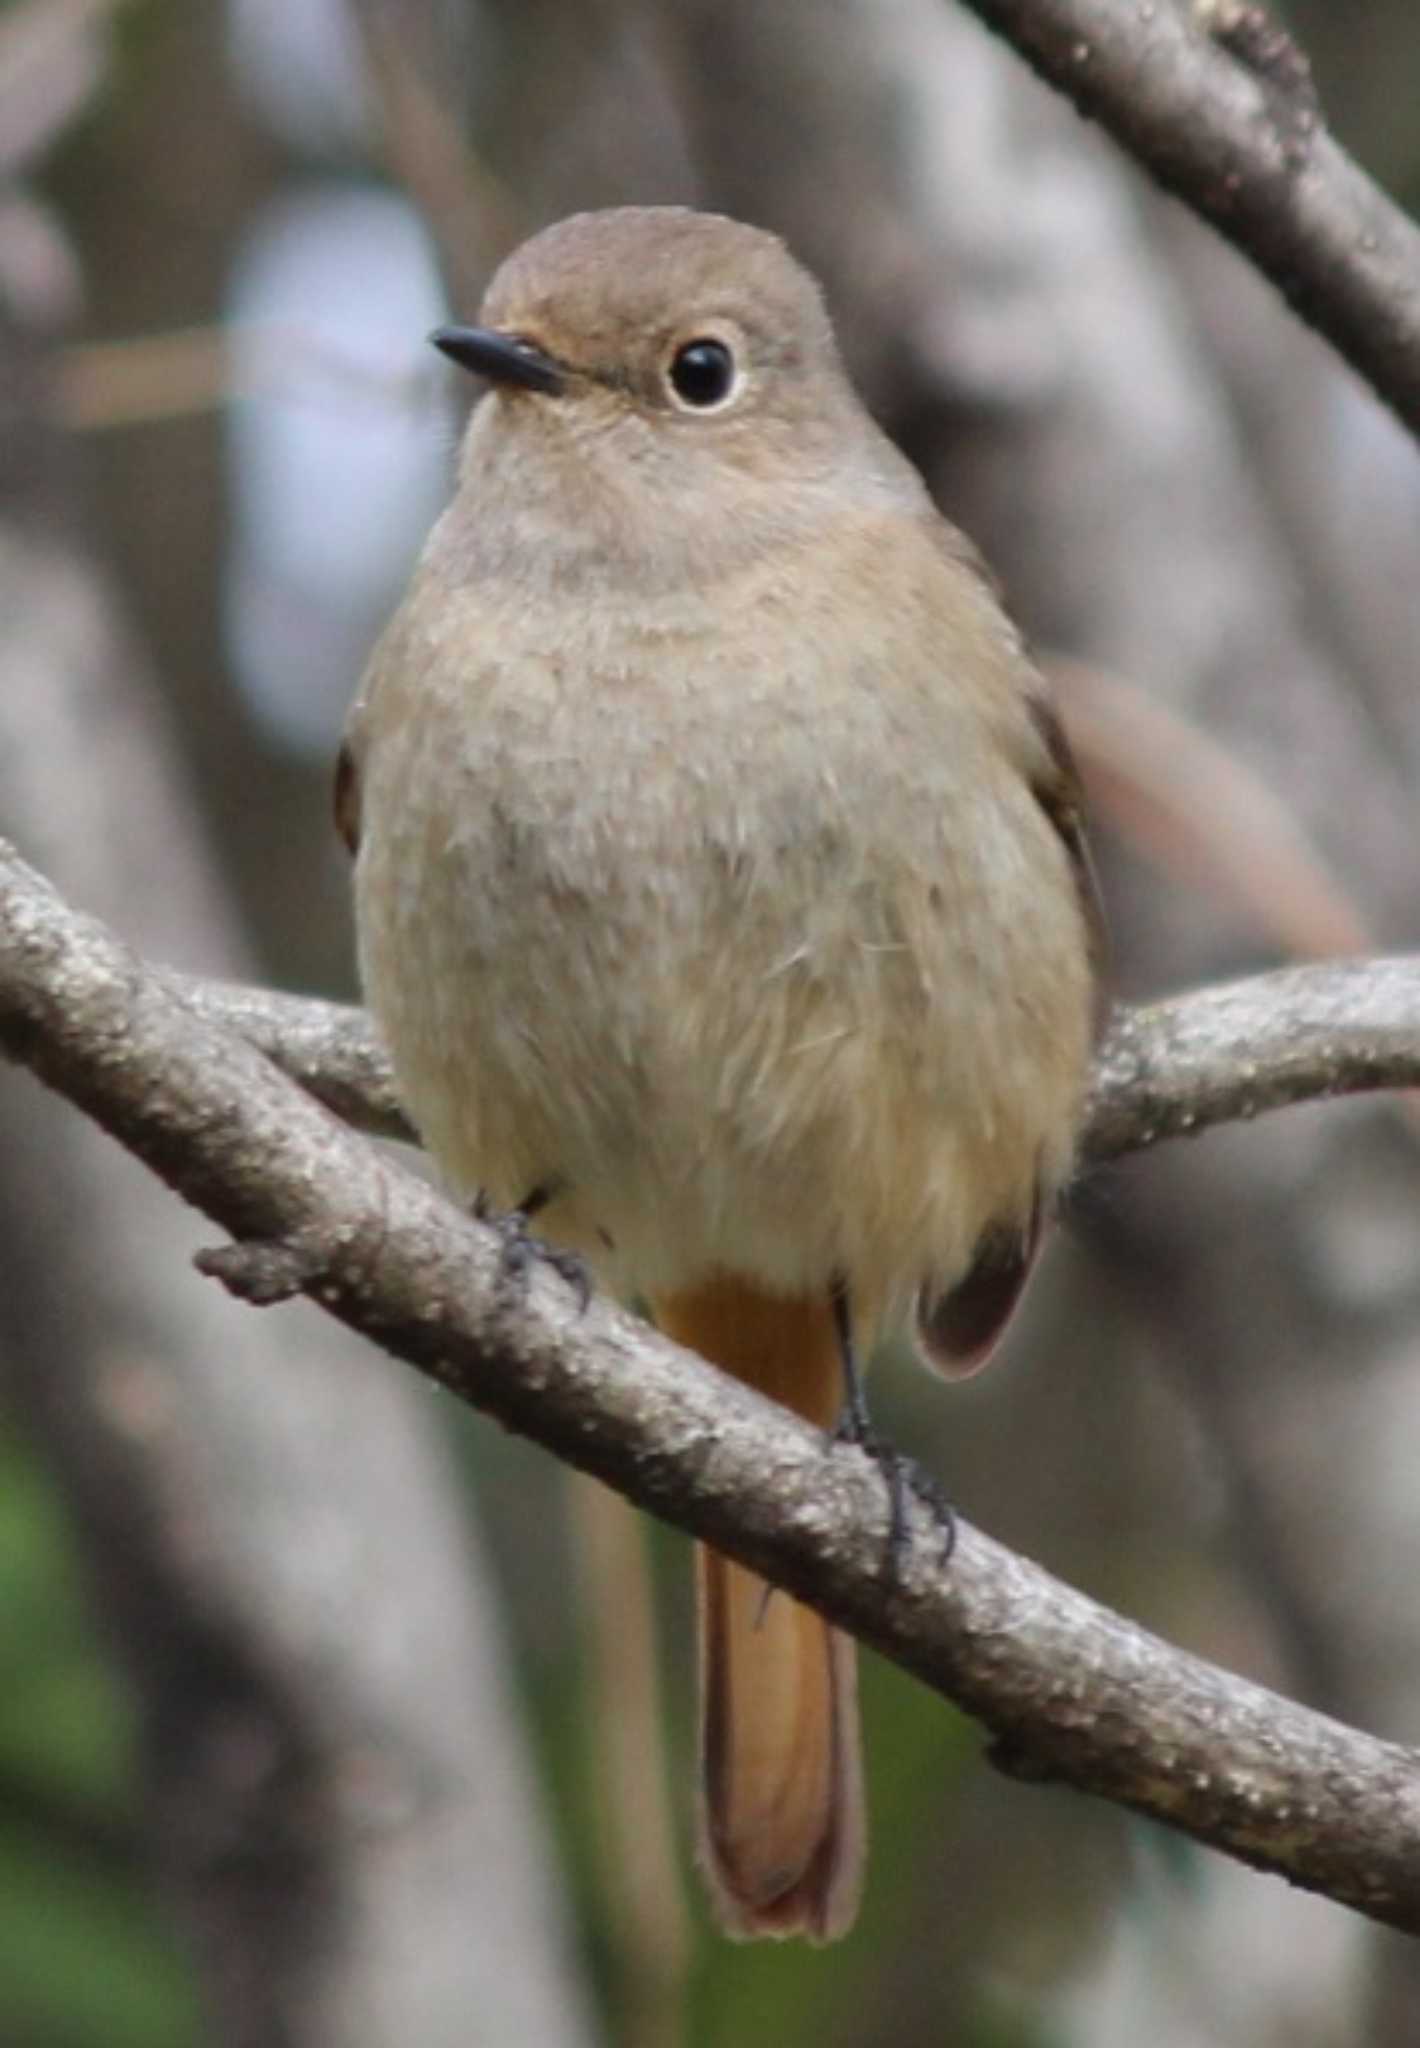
(743,951)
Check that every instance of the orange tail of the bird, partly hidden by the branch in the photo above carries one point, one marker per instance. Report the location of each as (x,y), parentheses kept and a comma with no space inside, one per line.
(782,1789)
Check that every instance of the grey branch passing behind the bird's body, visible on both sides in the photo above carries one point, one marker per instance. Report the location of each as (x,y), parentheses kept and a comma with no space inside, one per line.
(1167,1070)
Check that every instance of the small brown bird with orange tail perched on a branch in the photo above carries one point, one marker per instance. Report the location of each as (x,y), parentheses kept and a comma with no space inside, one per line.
(722,896)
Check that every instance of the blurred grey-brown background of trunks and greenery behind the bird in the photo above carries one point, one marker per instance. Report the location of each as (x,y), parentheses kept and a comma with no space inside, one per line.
(329,1713)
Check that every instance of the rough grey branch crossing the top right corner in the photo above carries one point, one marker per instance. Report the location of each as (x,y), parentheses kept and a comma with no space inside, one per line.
(1218,105)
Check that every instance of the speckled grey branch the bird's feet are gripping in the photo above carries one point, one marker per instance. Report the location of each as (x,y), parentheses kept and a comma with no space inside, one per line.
(1067,1689)
